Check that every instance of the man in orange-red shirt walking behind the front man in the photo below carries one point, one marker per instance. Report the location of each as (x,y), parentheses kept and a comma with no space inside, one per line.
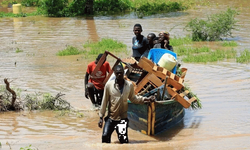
(93,84)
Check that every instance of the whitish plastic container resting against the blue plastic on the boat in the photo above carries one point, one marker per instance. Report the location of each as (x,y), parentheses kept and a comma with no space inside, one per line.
(167,61)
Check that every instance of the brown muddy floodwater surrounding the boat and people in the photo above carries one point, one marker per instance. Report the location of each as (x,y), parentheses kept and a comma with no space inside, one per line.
(223,87)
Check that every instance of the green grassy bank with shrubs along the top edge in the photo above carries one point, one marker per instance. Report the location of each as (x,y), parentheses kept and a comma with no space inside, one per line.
(69,8)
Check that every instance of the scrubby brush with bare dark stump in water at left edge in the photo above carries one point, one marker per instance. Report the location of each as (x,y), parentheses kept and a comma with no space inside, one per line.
(10,99)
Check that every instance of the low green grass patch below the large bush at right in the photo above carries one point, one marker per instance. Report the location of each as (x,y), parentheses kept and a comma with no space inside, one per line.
(189,52)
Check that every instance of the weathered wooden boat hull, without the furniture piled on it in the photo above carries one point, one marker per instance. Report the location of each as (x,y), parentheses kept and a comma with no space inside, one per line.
(154,117)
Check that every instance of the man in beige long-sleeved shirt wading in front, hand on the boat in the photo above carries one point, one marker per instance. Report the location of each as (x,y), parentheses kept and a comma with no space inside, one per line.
(116,94)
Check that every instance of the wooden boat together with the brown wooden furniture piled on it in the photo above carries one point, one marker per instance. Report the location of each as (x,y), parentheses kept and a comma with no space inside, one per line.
(154,117)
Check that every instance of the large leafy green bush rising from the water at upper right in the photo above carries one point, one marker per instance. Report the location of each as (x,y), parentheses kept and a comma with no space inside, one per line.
(215,27)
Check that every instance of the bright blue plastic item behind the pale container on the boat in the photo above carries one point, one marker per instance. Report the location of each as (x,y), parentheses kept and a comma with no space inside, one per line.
(156,53)
